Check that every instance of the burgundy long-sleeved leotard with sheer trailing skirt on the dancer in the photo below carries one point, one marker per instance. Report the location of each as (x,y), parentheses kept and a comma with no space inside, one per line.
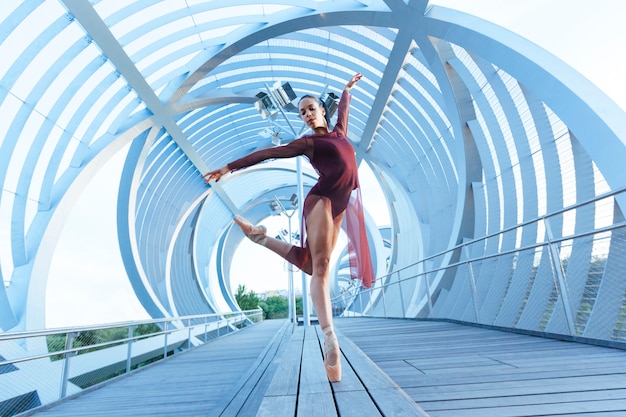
(332,156)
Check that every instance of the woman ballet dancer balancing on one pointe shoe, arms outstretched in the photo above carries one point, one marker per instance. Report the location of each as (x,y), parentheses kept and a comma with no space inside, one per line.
(325,206)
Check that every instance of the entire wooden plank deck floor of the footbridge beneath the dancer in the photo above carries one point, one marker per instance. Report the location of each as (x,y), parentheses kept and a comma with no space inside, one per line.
(430,369)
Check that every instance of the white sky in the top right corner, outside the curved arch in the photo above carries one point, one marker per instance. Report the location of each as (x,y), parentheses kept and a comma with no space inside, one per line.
(587,35)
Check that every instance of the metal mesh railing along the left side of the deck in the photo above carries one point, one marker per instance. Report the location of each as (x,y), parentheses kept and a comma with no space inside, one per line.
(40,367)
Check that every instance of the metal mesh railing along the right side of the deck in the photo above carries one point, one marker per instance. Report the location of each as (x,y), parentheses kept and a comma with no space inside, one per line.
(569,280)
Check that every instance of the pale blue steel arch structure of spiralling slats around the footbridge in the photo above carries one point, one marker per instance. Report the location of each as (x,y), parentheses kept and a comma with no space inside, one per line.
(470,129)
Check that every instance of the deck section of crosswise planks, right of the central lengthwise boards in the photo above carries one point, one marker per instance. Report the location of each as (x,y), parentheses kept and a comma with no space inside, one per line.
(456,370)
